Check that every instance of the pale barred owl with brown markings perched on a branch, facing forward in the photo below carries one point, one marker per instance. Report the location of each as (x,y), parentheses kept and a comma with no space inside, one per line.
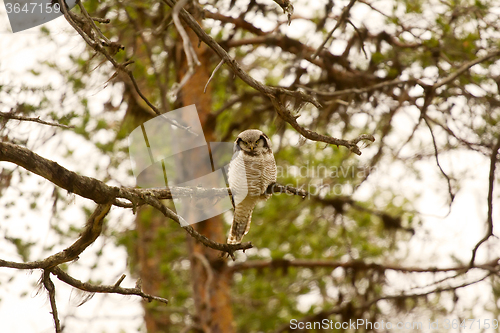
(251,171)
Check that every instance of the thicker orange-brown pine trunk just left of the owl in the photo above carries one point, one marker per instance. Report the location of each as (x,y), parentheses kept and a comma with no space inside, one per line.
(210,278)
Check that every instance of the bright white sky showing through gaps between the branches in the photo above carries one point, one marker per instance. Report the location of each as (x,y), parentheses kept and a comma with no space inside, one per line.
(432,245)
